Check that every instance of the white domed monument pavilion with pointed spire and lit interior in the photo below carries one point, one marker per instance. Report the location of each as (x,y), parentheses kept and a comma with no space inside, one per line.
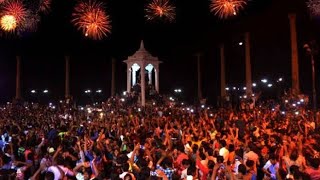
(142,60)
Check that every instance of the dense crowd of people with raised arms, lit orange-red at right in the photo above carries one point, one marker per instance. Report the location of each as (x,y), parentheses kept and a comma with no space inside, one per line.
(118,139)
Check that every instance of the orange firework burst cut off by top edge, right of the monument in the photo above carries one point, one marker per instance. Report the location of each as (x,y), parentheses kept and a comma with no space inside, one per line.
(227,8)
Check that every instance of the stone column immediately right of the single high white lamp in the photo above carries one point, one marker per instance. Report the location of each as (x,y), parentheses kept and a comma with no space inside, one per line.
(248,64)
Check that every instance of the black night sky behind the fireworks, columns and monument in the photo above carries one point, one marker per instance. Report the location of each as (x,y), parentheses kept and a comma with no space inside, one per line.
(195,30)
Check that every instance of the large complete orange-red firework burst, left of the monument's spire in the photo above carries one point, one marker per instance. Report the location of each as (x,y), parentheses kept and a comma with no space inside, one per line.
(91,19)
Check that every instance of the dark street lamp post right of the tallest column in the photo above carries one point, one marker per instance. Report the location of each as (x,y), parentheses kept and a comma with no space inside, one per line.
(313,50)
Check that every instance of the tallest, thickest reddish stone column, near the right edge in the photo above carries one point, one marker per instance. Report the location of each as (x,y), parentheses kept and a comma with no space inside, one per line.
(294,54)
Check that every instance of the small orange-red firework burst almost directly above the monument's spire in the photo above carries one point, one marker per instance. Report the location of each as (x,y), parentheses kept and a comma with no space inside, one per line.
(160,9)
